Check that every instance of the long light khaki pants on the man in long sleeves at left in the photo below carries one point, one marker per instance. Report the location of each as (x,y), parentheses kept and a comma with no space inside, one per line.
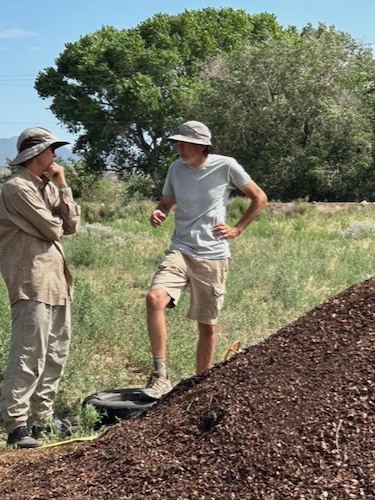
(38,352)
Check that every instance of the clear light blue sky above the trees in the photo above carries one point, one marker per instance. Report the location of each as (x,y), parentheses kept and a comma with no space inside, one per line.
(33,35)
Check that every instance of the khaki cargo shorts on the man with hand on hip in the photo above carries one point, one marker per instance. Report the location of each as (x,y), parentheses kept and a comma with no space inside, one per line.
(204,277)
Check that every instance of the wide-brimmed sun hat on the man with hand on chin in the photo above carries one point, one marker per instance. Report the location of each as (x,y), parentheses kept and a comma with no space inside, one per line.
(32,142)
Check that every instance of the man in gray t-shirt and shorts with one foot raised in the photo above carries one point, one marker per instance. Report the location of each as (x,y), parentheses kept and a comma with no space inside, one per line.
(199,185)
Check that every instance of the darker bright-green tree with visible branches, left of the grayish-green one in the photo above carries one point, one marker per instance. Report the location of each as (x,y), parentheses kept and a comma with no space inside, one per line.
(124,91)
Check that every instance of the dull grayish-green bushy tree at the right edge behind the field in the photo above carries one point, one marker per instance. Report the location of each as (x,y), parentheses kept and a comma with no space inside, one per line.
(297,113)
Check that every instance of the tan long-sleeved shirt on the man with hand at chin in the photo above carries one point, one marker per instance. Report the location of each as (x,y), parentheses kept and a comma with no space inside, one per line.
(33,217)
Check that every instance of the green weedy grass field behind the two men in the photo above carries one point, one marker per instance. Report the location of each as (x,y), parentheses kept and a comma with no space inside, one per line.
(288,261)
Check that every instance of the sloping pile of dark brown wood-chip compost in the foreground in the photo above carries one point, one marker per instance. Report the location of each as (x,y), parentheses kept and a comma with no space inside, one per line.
(292,417)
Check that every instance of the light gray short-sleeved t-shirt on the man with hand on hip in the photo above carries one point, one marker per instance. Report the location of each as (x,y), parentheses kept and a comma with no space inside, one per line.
(201,195)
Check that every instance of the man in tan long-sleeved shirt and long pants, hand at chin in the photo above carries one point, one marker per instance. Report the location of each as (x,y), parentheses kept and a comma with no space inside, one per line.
(36,209)
